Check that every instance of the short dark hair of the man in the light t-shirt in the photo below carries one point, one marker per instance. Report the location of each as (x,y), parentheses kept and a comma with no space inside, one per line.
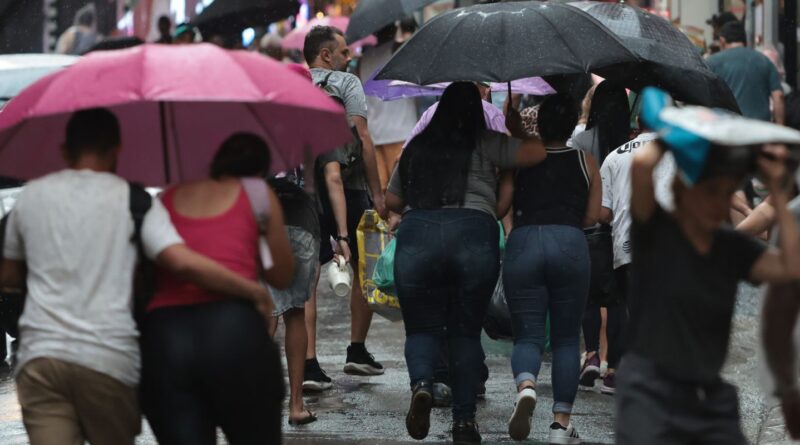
(95,130)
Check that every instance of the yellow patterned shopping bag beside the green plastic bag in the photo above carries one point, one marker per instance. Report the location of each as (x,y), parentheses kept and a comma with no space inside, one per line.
(373,236)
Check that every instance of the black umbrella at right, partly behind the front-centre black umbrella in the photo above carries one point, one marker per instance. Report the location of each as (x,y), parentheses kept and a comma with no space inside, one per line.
(670,60)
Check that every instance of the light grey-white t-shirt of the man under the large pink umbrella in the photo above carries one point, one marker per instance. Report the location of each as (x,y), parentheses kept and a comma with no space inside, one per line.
(73,231)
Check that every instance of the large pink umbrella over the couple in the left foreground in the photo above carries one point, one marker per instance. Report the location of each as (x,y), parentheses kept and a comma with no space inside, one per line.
(176,105)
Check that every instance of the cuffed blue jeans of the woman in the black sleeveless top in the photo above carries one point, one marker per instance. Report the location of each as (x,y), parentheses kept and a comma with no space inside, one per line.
(547,268)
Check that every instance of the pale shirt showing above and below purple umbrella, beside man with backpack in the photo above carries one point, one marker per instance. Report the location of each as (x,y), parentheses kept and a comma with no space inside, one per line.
(390,122)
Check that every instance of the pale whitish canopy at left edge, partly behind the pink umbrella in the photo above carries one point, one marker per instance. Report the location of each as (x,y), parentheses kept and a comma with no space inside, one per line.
(17,71)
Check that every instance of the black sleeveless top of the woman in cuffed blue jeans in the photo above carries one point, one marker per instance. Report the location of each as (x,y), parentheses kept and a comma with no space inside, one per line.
(554,192)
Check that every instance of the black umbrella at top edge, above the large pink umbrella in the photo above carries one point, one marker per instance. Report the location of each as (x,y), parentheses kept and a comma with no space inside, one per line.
(225,17)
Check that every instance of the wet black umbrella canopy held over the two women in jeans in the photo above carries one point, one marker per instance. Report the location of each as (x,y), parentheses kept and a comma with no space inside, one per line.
(501,42)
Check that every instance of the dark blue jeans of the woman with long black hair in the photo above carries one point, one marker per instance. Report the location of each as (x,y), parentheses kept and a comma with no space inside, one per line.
(446,267)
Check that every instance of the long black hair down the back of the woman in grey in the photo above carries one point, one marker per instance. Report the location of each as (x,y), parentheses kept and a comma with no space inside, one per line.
(435,165)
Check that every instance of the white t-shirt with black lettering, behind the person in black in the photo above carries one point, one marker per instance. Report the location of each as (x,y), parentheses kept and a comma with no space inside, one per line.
(616,176)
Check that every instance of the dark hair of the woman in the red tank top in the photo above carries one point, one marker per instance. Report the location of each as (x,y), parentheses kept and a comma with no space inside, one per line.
(241,155)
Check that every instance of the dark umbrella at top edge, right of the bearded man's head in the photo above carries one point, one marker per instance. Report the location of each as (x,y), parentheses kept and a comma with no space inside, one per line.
(372,15)
